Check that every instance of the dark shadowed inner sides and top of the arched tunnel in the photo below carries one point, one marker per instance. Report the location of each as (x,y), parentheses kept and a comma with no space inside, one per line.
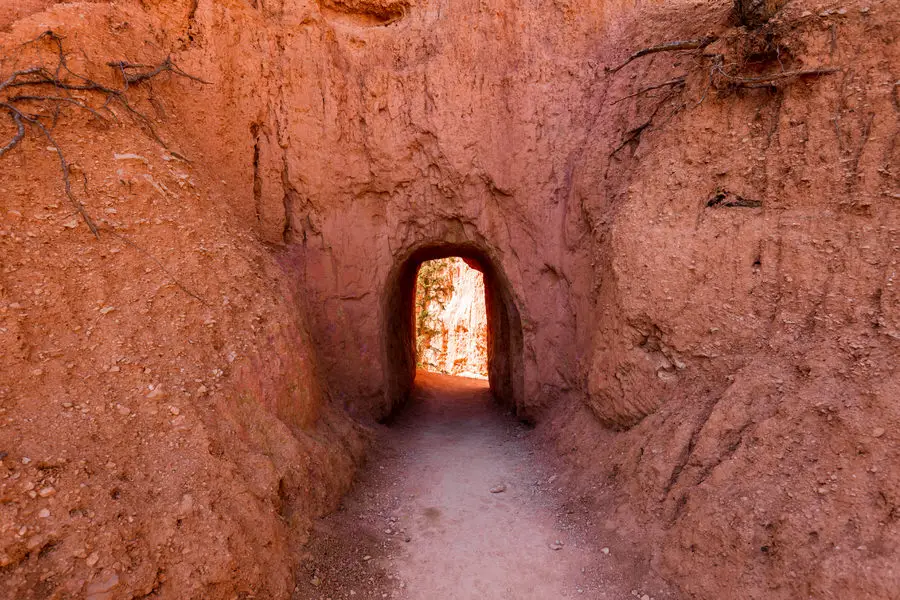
(504,328)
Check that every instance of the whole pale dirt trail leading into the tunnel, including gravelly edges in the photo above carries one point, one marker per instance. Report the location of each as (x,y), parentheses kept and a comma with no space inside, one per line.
(423,523)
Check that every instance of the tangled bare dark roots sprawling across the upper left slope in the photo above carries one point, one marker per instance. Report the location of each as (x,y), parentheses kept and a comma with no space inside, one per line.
(49,88)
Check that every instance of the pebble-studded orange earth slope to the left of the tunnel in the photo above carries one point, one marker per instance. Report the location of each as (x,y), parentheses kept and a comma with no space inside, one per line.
(163,427)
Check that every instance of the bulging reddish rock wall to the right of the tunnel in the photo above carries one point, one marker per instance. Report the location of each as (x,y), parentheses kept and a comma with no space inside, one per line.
(746,251)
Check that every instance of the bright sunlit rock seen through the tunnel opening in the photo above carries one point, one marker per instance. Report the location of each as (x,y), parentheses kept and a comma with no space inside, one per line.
(451,319)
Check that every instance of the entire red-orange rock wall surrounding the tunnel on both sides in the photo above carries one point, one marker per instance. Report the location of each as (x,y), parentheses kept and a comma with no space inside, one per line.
(701,247)
